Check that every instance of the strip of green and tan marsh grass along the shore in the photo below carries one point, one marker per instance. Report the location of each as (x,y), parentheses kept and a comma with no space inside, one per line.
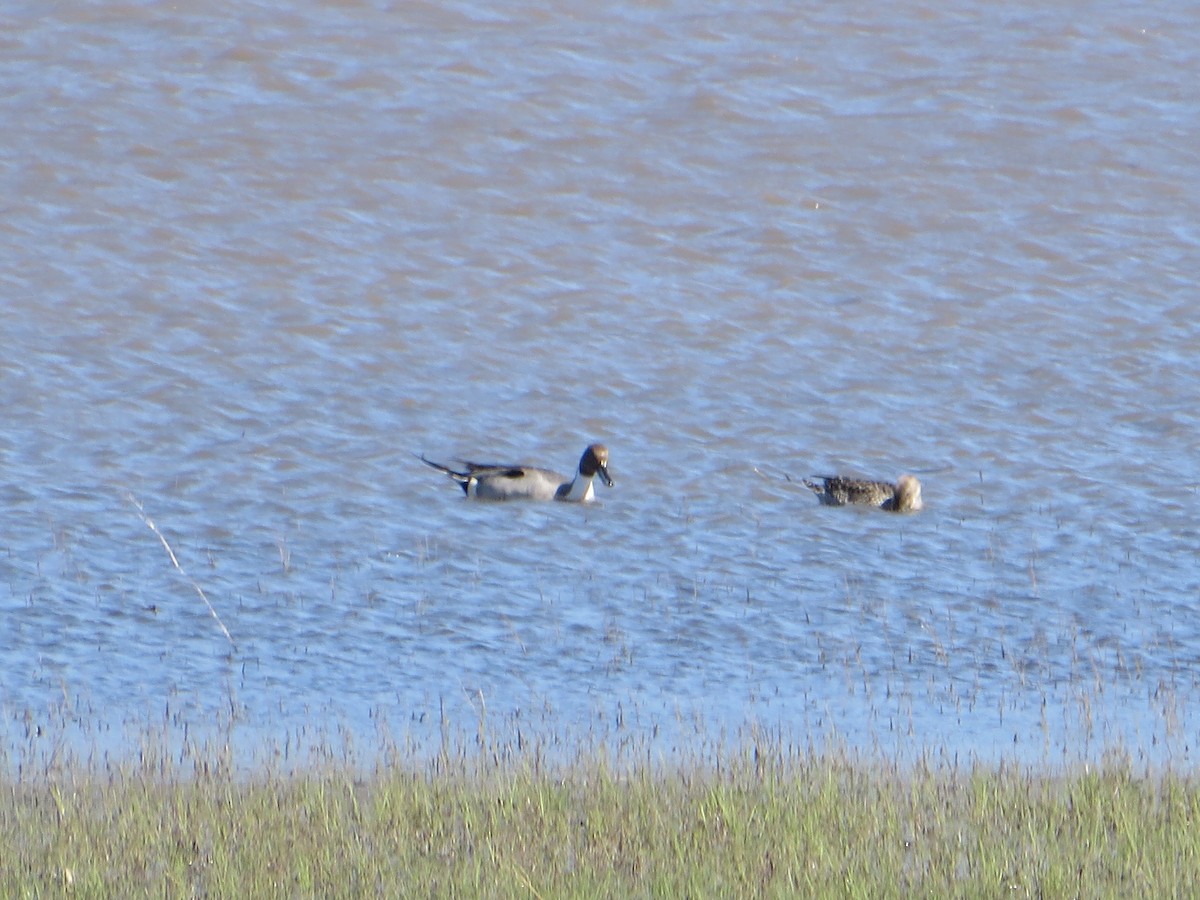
(760,821)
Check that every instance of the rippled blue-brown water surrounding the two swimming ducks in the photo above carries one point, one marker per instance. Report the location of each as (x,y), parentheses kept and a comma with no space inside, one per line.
(253,261)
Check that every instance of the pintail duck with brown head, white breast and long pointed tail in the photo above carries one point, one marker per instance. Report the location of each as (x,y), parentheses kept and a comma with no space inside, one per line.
(495,482)
